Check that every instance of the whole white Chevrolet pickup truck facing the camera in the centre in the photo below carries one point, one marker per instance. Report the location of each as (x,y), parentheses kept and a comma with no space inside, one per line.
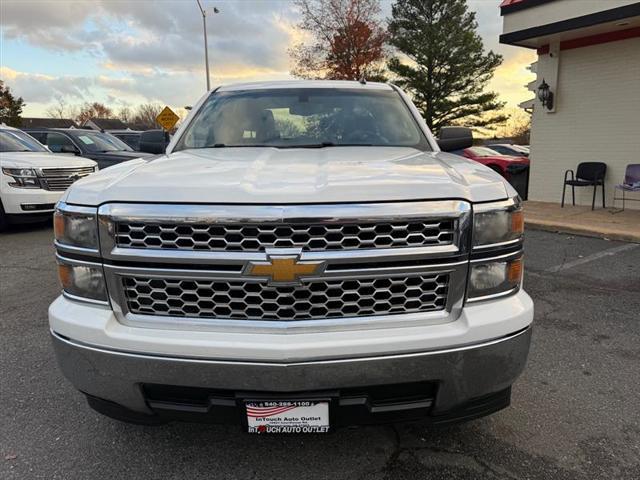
(304,256)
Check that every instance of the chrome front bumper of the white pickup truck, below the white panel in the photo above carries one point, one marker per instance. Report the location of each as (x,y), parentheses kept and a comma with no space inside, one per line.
(462,373)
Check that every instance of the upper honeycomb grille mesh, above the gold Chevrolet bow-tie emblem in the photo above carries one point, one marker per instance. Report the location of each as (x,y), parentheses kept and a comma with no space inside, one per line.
(308,237)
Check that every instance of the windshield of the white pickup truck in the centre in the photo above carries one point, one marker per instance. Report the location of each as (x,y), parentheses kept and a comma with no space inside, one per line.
(303,117)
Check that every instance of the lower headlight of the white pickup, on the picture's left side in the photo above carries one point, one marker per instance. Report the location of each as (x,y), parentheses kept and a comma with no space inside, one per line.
(84,280)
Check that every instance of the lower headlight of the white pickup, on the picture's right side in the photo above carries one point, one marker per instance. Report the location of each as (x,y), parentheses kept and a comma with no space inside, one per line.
(494,278)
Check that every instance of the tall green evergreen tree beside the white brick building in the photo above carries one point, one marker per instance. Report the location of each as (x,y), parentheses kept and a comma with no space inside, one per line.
(446,70)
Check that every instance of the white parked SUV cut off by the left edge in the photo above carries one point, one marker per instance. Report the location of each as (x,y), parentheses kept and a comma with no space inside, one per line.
(33,179)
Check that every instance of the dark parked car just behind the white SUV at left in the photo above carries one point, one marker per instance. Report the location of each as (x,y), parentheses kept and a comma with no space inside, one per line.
(102,147)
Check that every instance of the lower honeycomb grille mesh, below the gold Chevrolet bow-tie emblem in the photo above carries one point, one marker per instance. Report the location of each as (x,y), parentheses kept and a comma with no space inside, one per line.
(240,300)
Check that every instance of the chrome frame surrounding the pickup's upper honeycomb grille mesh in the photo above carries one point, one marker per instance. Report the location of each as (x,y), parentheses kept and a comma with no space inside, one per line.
(109,215)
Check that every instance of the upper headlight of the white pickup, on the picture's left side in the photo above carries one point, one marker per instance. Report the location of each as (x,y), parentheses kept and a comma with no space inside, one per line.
(76,226)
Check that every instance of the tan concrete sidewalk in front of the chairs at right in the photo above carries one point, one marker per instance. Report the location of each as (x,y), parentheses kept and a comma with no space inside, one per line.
(582,221)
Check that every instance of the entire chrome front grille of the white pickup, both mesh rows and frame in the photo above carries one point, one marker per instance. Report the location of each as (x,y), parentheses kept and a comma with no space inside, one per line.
(192,266)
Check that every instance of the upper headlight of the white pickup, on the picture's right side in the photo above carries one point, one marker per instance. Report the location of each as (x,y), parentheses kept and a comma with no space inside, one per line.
(497,223)
